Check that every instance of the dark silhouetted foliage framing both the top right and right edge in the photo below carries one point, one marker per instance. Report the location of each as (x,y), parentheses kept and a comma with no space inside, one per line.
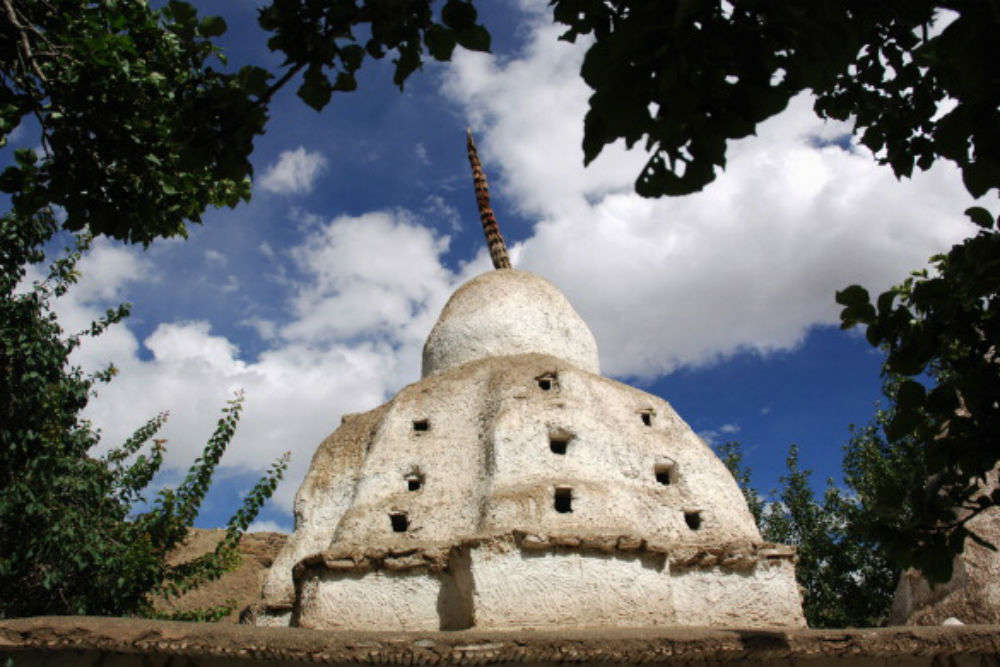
(689,75)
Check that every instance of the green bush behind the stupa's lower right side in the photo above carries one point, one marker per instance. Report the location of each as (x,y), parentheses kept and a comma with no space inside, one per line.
(847,577)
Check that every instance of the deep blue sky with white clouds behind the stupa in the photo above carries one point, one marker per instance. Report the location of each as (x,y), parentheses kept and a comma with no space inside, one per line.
(316,297)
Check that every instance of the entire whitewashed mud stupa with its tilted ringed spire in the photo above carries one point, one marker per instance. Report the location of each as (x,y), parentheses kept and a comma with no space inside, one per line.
(514,487)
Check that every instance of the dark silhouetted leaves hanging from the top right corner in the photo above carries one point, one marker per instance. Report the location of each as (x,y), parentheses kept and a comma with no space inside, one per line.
(687,75)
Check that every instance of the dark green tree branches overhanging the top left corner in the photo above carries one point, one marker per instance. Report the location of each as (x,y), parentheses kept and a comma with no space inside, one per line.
(140,132)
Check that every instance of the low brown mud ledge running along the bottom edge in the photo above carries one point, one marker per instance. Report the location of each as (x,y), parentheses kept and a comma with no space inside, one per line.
(114,642)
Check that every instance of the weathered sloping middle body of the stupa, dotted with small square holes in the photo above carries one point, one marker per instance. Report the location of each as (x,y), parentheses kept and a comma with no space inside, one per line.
(486,466)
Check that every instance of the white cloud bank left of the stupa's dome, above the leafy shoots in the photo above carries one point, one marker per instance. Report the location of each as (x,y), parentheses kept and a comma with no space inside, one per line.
(353,338)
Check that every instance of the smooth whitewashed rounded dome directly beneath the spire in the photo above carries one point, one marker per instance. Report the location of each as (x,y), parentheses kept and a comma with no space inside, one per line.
(508,312)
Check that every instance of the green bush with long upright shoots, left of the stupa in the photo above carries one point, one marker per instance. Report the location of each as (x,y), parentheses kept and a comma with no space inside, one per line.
(69,543)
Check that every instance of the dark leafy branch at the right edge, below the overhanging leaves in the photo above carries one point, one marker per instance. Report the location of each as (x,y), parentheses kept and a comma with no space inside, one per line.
(940,331)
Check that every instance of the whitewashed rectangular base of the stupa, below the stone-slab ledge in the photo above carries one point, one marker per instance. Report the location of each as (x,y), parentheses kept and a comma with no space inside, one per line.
(502,584)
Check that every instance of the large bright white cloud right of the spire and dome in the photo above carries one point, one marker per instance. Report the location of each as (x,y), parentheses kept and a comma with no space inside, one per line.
(752,262)
